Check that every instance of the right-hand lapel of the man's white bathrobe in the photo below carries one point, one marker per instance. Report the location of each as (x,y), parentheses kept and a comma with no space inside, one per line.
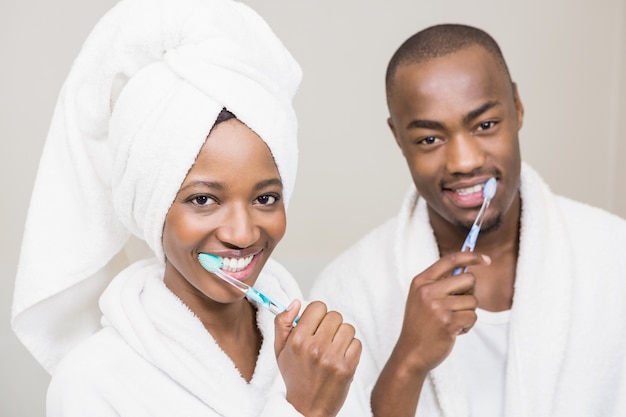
(542,303)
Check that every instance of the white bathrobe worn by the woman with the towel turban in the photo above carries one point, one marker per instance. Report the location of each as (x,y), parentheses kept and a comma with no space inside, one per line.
(154,358)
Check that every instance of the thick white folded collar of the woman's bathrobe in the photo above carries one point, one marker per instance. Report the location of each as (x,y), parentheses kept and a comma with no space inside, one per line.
(167,334)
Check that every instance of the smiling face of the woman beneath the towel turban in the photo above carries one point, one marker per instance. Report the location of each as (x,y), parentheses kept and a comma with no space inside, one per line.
(230,204)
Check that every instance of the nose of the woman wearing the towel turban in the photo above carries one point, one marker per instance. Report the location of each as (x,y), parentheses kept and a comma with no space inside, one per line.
(238,228)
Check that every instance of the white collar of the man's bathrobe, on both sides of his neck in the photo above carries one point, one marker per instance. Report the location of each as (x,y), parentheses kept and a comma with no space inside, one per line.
(541,304)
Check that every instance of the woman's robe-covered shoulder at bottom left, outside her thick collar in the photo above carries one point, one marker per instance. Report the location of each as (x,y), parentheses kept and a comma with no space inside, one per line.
(106,374)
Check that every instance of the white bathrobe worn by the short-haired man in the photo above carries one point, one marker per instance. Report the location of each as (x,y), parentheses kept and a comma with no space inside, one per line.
(567,339)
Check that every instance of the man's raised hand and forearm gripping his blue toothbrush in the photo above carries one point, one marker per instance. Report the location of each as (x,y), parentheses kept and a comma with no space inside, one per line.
(439,307)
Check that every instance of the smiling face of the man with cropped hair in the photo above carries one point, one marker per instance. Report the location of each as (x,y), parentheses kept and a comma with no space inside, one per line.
(456,120)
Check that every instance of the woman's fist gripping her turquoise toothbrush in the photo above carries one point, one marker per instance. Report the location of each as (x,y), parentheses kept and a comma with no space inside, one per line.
(317,358)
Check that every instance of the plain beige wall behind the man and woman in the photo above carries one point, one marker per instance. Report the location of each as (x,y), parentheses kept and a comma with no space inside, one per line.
(568,57)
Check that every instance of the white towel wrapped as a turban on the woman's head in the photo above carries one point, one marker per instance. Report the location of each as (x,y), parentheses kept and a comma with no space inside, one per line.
(137,106)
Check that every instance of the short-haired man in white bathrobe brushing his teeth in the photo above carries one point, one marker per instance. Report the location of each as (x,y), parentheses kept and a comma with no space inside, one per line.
(535,325)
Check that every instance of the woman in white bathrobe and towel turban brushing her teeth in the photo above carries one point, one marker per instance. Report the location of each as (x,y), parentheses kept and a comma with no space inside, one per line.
(141,142)
